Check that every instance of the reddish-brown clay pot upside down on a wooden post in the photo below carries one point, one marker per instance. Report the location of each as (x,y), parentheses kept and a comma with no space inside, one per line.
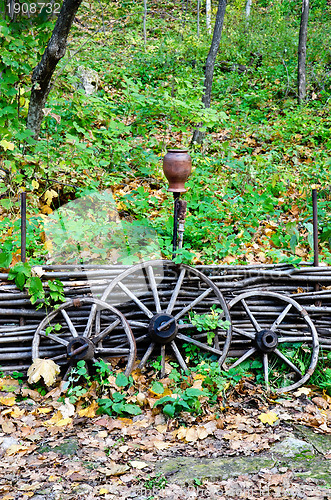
(177,166)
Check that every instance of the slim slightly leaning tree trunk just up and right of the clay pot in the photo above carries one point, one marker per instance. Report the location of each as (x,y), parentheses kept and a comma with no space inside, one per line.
(199,134)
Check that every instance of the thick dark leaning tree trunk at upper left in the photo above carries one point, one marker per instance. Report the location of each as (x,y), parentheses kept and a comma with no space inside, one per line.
(43,72)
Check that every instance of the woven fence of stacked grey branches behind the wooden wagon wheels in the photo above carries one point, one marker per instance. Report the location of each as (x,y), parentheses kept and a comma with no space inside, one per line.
(19,319)
